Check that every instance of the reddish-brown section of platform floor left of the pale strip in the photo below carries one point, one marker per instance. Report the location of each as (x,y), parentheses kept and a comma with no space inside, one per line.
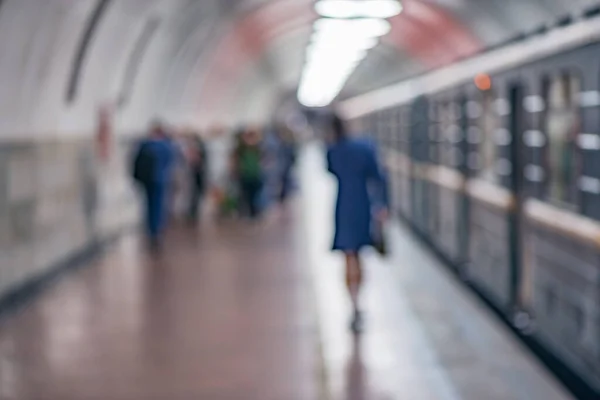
(226,314)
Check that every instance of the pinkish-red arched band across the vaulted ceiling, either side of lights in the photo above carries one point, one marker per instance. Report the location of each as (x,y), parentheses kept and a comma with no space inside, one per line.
(424,30)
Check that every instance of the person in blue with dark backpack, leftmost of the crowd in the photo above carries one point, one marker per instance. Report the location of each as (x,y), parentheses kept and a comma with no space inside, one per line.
(152,171)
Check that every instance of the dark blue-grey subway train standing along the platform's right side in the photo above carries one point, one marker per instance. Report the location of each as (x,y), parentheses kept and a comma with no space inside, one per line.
(495,163)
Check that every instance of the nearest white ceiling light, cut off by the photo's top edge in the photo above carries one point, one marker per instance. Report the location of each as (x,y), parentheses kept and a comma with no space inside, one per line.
(358,9)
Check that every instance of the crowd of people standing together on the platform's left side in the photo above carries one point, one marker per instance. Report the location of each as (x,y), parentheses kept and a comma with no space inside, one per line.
(170,167)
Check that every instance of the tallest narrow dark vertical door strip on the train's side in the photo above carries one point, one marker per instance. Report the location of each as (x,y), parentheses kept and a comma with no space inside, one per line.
(516,185)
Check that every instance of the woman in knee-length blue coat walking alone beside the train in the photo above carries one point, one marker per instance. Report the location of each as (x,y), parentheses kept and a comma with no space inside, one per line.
(362,191)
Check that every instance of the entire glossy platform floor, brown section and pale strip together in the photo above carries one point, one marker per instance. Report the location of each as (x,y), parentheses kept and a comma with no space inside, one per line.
(259,312)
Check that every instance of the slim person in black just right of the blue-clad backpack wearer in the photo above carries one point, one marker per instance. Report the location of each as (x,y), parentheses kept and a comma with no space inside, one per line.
(198,166)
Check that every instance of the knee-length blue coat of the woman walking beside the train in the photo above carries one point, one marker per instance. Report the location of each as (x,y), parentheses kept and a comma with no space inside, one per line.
(361,186)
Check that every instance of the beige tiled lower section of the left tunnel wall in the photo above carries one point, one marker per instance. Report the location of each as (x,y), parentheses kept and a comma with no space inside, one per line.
(56,202)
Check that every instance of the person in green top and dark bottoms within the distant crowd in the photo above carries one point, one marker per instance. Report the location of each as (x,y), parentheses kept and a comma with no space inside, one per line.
(248,162)
